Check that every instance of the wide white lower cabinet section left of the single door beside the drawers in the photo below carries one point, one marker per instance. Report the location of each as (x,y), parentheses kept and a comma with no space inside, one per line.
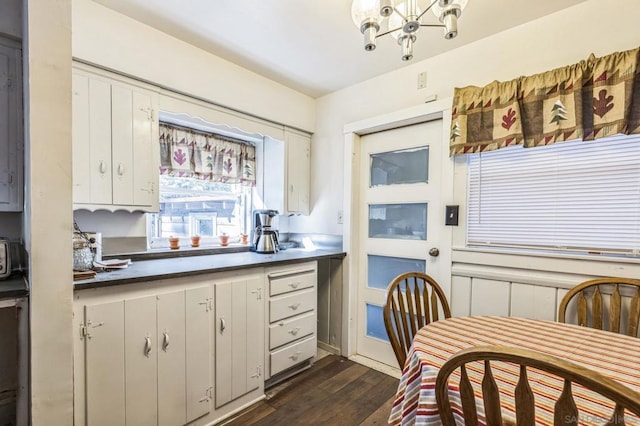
(147,359)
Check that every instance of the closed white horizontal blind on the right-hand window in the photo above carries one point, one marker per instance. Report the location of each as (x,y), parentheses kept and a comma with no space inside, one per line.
(582,196)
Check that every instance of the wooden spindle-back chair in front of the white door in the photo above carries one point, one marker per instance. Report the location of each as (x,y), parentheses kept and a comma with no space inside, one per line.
(412,302)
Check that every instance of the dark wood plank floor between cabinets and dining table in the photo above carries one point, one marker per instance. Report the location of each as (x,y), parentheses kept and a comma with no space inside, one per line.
(334,391)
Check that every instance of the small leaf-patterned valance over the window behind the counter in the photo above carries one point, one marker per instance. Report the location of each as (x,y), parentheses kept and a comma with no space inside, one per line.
(190,153)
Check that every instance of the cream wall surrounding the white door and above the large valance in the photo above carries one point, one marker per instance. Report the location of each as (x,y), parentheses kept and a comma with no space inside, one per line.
(553,41)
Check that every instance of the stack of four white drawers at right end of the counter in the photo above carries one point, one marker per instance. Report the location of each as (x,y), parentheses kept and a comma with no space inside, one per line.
(292,316)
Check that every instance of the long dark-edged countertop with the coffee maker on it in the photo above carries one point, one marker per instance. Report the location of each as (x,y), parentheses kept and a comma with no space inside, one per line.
(155,269)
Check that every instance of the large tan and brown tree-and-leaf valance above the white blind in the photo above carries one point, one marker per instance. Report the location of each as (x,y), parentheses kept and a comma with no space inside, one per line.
(592,99)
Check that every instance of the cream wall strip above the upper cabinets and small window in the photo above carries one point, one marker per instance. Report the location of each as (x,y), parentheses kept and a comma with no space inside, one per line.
(112,40)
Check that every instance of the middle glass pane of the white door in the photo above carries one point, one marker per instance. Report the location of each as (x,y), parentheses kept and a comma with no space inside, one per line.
(398,221)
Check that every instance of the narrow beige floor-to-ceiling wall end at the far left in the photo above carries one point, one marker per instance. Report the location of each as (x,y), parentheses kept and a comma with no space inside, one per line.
(48,208)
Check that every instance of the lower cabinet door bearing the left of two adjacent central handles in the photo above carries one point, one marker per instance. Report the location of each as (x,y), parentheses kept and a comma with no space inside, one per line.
(141,361)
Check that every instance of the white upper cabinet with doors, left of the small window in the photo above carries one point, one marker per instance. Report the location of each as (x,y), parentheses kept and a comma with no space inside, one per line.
(115,144)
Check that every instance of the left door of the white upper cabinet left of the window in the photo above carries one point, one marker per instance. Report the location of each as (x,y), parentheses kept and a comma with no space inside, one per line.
(91,140)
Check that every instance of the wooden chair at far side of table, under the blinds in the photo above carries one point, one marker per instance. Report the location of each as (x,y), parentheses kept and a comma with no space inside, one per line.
(594,310)
